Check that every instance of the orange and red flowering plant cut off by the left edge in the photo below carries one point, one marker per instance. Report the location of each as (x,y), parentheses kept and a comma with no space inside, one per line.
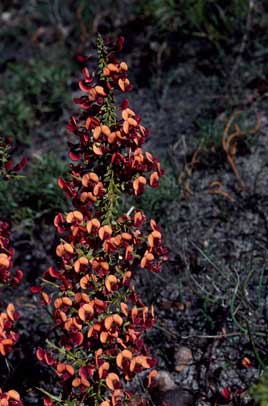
(8,337)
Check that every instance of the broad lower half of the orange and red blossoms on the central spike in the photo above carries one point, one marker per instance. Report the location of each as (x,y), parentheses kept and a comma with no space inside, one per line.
(98,311)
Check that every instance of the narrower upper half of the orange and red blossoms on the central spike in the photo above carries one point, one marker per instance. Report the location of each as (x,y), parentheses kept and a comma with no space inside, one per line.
(107,136)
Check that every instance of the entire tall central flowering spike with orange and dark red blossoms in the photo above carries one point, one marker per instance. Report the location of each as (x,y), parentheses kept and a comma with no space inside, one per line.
(99,317)
